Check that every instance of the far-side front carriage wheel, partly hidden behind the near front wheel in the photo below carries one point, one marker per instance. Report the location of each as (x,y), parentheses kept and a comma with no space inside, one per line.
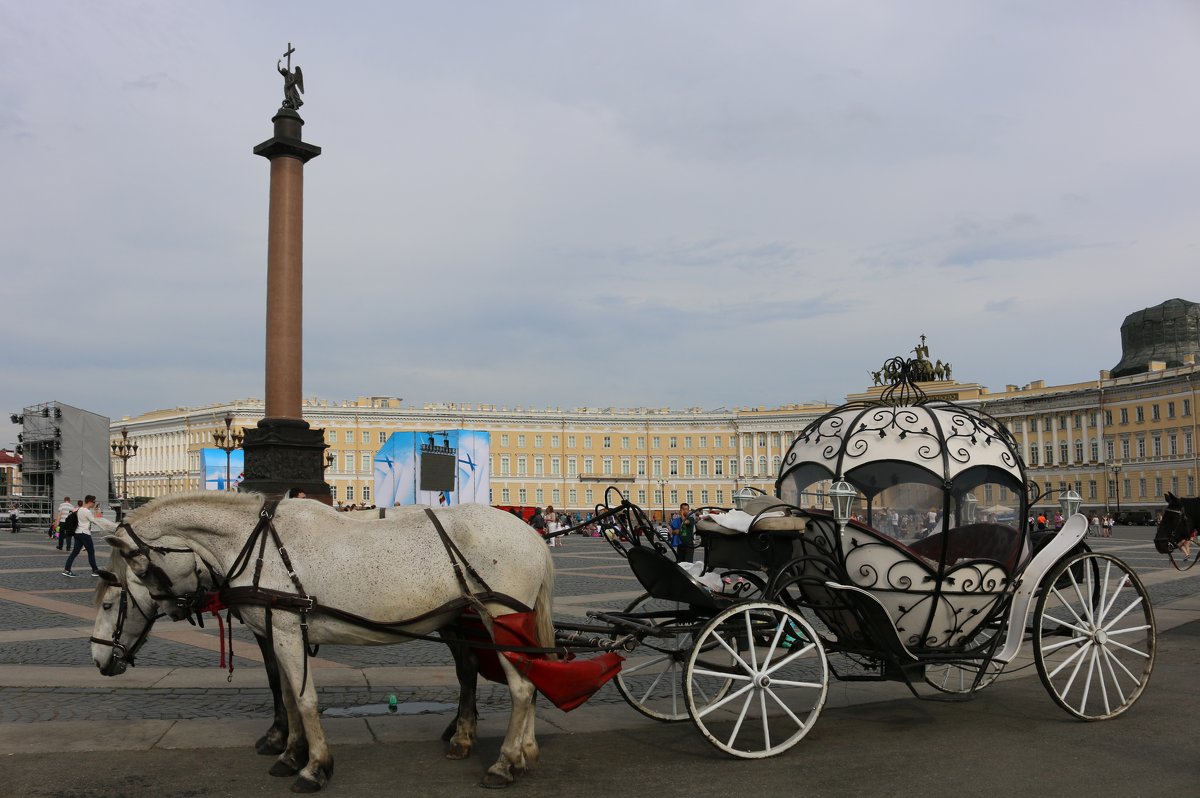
(653,683)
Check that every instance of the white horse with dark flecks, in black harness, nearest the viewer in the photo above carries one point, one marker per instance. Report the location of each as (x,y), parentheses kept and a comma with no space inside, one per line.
(380,571)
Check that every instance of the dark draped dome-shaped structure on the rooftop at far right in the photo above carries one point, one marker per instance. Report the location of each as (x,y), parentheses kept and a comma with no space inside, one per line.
(1165,333)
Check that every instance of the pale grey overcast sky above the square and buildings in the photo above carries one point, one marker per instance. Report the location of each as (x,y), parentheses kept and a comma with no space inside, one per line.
(563,205)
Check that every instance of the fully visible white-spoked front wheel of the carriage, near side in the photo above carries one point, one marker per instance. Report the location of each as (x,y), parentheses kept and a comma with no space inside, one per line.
(778,680)
